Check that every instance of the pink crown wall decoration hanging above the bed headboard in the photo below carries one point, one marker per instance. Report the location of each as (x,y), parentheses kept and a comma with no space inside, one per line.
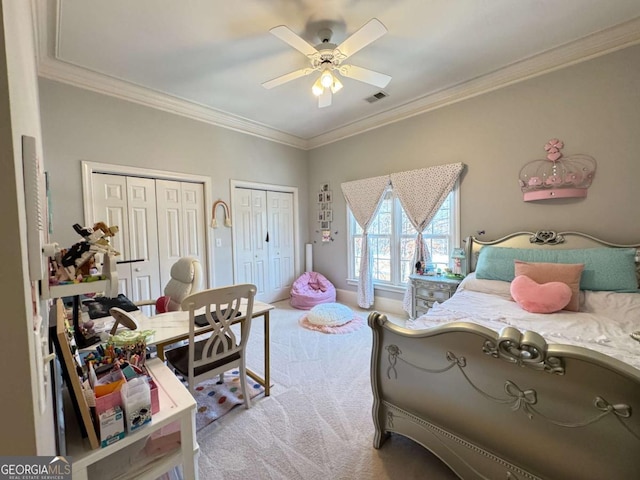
(557,176)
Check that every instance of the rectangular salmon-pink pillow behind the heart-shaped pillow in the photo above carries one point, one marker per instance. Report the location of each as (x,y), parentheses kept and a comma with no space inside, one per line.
(568,273)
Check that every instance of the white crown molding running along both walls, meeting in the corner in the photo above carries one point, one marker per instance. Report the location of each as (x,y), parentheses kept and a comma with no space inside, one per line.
(597,44)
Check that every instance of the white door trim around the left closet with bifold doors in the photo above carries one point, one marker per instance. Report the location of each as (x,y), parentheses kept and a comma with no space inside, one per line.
(89,168)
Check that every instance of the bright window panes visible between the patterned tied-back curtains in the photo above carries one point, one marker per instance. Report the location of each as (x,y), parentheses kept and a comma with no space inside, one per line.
(392,240)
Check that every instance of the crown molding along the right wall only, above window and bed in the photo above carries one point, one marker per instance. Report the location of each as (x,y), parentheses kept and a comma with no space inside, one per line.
(606,41)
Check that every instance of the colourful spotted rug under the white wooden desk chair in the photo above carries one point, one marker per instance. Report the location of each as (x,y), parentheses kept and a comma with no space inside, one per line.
(215,400)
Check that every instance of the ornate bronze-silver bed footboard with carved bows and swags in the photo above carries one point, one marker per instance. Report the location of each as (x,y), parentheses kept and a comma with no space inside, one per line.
(506,406)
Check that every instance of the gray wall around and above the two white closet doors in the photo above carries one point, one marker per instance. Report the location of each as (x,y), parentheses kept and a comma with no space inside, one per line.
(81,125)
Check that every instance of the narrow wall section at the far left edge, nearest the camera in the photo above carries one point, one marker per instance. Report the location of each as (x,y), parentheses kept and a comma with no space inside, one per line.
(29,431)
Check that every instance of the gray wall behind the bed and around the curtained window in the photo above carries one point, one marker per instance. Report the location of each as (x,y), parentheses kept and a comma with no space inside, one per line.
(594,107)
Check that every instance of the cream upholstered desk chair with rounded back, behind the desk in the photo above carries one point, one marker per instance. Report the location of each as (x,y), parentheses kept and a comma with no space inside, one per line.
(186,278)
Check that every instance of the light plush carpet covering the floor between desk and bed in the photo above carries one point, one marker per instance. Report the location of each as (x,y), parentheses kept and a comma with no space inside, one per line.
(317,423)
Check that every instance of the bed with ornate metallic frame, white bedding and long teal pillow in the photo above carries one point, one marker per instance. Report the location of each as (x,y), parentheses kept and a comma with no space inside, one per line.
(497,392)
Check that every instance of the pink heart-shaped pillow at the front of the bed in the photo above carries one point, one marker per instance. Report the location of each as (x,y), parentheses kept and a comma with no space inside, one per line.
(540,298)
